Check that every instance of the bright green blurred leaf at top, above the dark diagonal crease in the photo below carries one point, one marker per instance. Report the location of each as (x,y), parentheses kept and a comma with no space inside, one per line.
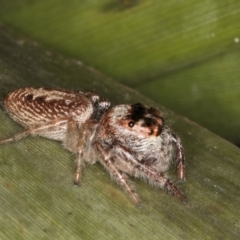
(146,40)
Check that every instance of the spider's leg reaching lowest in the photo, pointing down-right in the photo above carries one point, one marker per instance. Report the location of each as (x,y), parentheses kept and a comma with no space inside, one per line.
(106,158)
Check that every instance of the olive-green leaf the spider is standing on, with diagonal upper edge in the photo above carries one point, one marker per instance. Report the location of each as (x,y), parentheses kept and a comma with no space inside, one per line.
(39,201)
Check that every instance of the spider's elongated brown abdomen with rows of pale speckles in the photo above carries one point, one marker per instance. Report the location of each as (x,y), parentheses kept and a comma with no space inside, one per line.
(37,106)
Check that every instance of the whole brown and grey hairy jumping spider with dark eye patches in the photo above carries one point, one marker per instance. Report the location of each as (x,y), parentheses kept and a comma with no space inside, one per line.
(126,139)
